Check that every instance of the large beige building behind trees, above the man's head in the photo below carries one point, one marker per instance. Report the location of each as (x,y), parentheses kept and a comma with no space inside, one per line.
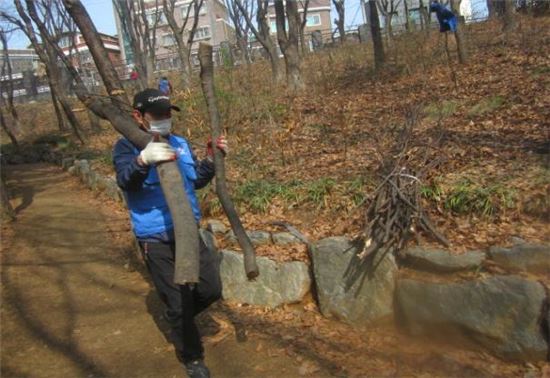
(213,27)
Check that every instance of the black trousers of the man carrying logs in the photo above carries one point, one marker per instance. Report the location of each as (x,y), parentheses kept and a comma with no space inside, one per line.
(183,302)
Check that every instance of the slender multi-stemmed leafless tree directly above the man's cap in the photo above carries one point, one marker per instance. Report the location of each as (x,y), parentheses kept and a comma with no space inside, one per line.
(139,23)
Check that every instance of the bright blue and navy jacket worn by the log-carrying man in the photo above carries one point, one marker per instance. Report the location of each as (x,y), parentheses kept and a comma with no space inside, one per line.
(149,211)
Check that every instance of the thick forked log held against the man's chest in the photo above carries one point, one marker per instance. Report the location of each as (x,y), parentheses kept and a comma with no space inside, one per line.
(185,226)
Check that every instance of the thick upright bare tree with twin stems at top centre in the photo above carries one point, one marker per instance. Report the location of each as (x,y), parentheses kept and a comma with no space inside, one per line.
(288,41)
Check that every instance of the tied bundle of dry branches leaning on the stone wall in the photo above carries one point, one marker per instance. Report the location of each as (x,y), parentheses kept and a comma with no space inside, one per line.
(395,213)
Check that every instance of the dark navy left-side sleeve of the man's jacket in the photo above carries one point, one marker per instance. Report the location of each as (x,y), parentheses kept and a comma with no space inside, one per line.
(129,175)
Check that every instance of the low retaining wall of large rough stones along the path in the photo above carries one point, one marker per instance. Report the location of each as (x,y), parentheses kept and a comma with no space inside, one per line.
(508,315)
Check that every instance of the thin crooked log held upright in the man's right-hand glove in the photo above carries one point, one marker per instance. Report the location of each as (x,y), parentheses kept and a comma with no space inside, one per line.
(207,81)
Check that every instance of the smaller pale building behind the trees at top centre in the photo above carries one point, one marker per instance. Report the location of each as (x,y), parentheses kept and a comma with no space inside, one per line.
(317,19)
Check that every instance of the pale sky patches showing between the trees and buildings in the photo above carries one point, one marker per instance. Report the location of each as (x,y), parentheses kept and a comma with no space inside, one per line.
(102,14)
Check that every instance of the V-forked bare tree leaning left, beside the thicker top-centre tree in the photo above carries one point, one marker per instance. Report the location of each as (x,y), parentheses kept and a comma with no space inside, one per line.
(263,35)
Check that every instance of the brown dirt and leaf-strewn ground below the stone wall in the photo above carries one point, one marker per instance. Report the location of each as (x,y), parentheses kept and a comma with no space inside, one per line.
(76,305)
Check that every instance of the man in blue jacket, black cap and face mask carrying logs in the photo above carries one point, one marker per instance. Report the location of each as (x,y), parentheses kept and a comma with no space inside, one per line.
(137,176)
